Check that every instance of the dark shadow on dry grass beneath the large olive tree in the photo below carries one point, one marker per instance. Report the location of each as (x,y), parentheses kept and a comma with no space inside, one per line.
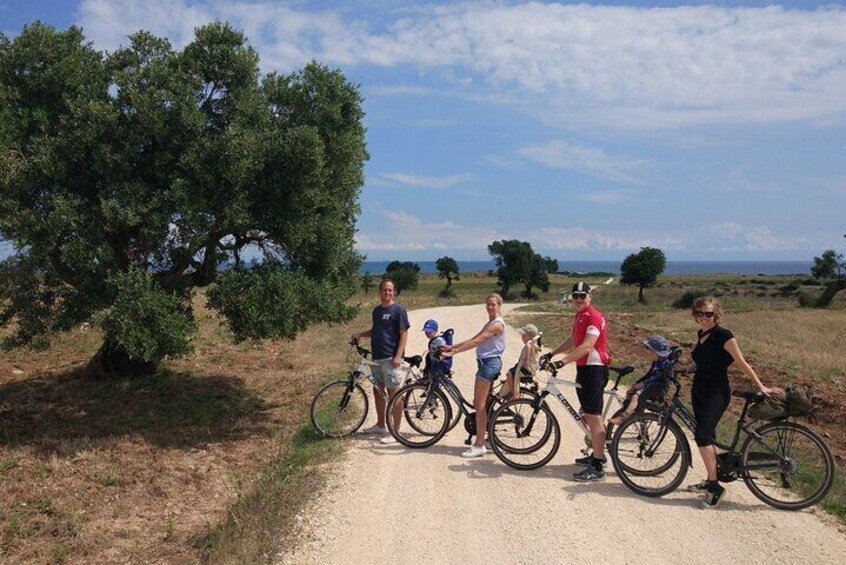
(168,409)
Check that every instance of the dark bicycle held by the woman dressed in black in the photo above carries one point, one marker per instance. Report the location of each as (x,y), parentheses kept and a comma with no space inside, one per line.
(784,464)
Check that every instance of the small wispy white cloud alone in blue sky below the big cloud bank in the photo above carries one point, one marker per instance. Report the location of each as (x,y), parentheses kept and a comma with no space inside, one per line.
(586,160)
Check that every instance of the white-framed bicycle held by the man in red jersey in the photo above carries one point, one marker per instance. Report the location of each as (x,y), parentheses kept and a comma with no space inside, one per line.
(522,428)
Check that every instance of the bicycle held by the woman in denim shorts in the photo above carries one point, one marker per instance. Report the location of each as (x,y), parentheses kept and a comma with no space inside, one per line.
(428,409)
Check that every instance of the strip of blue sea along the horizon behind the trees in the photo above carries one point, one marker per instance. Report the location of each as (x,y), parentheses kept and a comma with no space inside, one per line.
(802,268)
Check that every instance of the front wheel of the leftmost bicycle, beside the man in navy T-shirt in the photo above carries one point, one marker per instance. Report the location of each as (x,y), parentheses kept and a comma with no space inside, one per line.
(339,408)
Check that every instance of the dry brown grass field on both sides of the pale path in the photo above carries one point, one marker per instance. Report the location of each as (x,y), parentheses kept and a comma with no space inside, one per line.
(210,459)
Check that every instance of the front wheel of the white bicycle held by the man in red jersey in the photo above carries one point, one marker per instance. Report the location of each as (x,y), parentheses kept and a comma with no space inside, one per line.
(523,435)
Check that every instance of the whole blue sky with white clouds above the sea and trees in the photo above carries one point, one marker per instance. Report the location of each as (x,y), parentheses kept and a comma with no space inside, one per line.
(710,130)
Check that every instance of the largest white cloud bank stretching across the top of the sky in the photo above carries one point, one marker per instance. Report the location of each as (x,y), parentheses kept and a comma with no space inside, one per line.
(614,66)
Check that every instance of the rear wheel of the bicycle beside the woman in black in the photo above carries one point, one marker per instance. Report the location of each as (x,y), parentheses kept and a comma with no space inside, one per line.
(789,467)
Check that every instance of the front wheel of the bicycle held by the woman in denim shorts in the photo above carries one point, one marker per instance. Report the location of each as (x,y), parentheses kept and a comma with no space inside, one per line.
(426,411)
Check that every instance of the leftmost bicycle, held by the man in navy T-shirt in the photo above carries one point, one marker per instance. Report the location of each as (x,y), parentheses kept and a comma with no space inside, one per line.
(340,407)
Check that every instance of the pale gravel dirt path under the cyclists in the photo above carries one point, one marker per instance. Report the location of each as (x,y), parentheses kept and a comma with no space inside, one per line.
(387,504)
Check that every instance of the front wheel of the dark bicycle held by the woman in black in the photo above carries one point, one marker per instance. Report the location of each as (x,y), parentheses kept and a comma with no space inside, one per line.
(651,457)
